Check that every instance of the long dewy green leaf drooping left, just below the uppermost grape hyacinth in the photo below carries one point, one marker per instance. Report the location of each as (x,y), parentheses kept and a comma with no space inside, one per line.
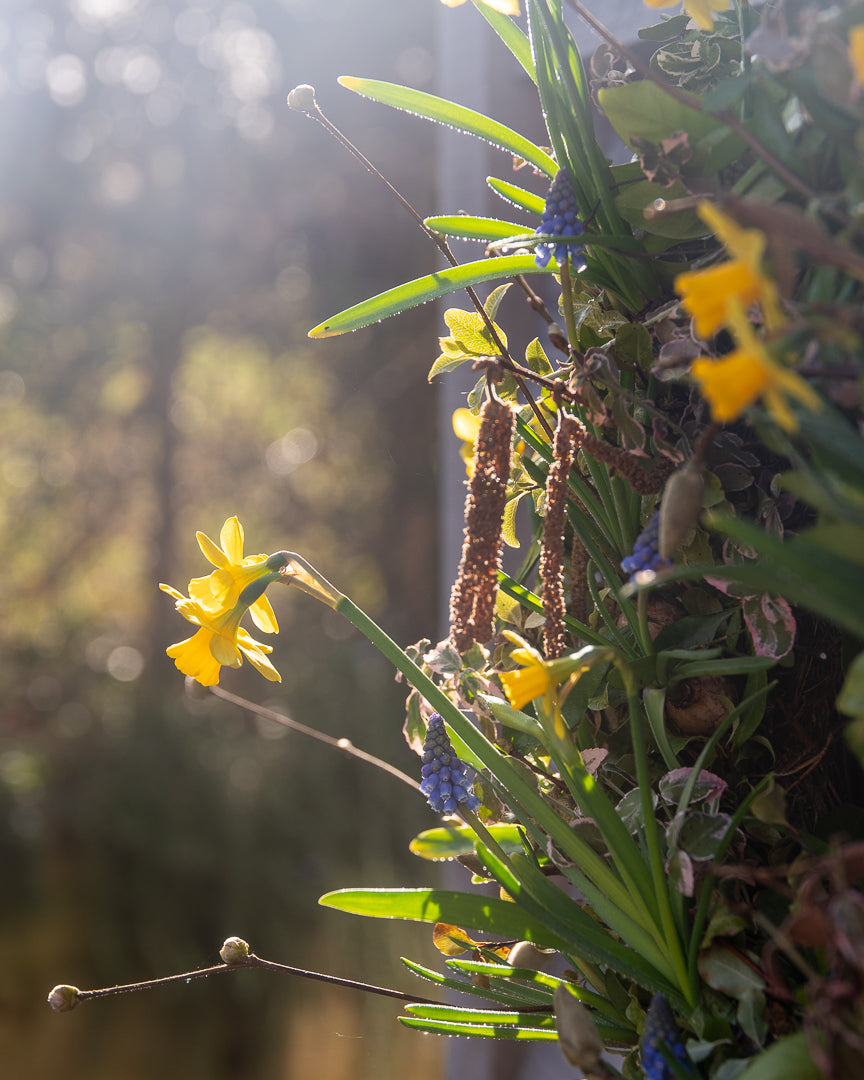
(423,290)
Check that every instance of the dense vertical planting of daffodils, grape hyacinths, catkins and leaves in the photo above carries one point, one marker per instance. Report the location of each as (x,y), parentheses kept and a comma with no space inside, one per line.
(649,738)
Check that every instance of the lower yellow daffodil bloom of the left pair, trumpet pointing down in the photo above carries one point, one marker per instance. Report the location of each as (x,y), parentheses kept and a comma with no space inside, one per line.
(220,641)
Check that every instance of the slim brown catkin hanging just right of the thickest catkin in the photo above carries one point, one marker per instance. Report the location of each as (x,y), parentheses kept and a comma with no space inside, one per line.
(552,551)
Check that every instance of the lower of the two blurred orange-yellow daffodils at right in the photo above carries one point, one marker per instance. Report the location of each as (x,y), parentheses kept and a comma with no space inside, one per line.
(734,383)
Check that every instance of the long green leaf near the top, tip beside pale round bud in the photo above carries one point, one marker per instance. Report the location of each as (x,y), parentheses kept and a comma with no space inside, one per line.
(454,116)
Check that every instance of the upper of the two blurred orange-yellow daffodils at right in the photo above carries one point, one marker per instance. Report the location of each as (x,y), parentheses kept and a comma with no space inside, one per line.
(707,294)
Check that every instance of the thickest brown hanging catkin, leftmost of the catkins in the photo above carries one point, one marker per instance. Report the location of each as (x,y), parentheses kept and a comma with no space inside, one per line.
(472,600)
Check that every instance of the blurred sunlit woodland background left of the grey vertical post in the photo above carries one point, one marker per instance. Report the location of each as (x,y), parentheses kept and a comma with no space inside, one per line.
(170,231)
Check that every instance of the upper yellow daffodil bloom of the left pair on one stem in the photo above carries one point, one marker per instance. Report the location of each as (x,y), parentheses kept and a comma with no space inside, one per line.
(222,589)
